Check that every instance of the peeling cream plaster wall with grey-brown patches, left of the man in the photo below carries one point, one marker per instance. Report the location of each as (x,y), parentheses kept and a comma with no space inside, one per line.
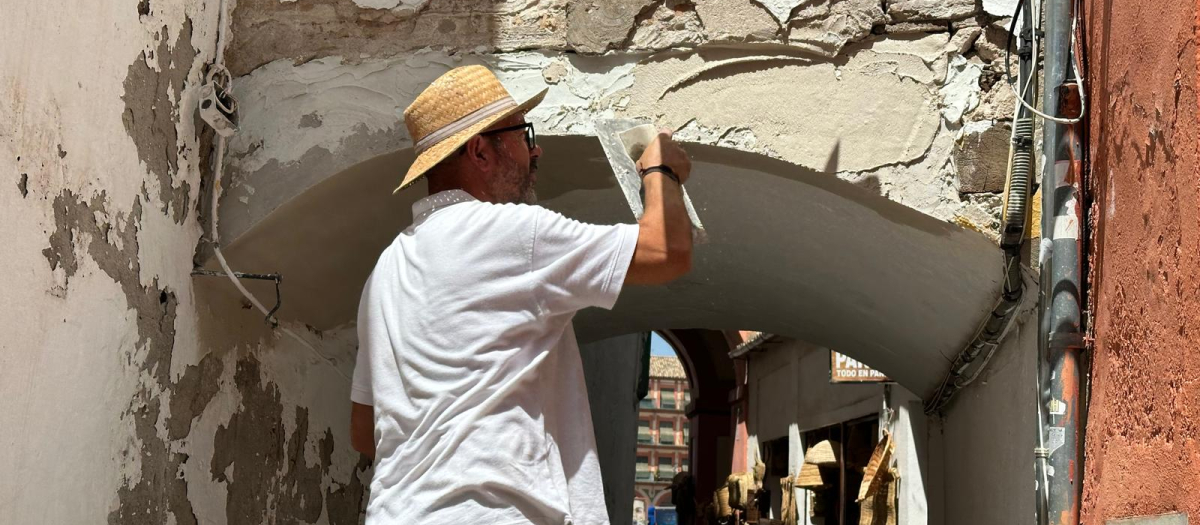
(134,393)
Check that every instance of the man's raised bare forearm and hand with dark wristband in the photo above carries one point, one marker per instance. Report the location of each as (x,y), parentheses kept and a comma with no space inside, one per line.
(664,240)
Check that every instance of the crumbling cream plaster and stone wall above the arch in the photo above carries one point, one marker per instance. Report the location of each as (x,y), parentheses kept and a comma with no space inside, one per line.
(903,98)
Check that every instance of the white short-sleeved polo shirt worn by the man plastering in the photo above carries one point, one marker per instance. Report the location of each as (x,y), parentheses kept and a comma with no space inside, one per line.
(469,355)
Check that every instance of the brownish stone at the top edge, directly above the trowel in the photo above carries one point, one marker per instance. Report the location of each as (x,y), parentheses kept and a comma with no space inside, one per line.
(595,27)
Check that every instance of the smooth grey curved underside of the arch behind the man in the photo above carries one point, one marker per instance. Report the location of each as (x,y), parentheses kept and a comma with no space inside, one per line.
(791,252)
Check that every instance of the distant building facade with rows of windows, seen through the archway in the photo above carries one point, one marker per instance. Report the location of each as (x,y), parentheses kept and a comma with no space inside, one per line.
(662,433)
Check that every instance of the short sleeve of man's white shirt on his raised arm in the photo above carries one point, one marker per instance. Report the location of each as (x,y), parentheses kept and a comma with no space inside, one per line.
(580,265)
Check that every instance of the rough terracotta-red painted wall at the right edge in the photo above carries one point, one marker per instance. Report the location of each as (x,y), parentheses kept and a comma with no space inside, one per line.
(1143,451)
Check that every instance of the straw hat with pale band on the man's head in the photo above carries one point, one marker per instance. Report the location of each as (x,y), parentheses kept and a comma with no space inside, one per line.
(457,107)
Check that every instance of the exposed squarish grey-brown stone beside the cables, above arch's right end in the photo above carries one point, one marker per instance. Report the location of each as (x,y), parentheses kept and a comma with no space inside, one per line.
(982,158)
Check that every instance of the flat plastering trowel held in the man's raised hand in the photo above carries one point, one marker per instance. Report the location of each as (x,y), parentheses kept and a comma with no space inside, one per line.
(623,142)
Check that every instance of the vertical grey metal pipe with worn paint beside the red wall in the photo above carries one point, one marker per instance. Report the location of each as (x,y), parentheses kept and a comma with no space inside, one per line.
(1060,306)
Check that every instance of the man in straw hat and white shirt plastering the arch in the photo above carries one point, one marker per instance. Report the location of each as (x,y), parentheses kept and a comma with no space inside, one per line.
(469,390)
